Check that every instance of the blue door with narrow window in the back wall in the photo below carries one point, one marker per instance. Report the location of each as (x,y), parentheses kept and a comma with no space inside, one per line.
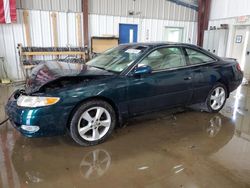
(127,33)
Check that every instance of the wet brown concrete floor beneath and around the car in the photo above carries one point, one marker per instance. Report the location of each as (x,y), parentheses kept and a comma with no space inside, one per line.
(188,149)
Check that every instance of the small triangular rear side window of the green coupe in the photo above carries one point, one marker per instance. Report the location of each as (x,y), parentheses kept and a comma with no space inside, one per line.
(196,57)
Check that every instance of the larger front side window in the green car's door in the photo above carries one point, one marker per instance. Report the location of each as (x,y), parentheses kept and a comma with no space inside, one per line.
(164,58)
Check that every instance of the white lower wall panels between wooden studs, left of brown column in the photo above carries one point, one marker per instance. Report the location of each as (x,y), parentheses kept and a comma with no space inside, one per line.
(41,35)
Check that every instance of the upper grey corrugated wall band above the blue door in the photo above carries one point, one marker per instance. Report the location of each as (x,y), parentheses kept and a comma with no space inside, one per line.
(148,9)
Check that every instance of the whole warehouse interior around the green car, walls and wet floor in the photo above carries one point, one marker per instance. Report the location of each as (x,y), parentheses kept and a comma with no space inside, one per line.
(169,148)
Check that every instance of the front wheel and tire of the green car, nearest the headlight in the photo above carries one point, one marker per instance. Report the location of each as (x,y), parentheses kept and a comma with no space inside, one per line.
(92,123)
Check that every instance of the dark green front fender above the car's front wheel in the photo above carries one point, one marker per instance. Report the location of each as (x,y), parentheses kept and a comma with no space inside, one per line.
(112,91)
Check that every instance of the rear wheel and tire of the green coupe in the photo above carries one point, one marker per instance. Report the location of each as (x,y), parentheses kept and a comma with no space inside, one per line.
(216,98)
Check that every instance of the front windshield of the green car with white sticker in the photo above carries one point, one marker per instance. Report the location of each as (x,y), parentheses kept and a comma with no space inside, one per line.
(117,59)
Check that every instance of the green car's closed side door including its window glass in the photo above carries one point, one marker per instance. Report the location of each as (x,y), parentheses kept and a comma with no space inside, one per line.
(167,86)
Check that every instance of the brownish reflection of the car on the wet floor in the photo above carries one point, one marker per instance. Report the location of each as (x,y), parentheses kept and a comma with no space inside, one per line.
(48,161)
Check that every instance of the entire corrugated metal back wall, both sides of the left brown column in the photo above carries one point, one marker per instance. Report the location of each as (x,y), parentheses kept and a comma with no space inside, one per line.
(105,15)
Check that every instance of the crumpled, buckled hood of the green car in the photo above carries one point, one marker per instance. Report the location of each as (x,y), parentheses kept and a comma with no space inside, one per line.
(53,70)
